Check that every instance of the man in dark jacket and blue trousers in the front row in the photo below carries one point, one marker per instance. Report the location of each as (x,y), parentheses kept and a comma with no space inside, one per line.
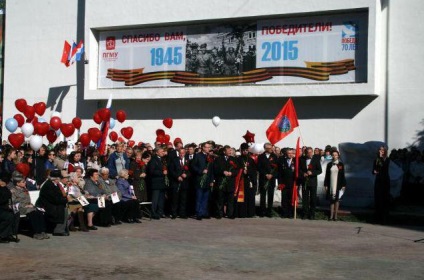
(202,167)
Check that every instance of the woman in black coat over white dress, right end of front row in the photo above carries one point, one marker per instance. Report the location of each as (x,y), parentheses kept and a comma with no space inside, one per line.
(334,184)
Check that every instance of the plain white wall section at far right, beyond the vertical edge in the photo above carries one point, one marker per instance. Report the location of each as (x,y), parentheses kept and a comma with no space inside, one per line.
(405,76)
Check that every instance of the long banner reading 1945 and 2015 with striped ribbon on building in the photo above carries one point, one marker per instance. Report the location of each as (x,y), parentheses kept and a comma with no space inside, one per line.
(318,49)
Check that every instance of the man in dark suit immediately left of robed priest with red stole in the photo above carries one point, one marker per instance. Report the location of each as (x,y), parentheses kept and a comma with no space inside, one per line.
(225,172)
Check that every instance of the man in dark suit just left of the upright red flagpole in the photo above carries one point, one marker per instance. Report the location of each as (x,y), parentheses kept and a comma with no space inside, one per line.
(286,176)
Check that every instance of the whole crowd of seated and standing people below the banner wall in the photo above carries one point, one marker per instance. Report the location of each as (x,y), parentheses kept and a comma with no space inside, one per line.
(83,189)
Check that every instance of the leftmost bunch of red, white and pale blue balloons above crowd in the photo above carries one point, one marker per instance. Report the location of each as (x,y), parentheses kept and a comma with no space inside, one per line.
(35,127)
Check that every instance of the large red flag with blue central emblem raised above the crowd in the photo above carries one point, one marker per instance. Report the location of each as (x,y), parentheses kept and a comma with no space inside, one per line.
(283,124)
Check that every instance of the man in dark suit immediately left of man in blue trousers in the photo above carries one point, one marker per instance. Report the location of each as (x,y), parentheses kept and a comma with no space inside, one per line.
(179,174)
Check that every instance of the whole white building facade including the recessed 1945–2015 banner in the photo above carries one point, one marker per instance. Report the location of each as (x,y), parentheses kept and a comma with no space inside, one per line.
(378,99)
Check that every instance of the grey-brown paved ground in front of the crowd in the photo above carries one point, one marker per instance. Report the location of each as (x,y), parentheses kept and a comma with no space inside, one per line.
(258,248)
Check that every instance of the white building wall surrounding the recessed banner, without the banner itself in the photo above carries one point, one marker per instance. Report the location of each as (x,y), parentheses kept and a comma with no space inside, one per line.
(36,30)
